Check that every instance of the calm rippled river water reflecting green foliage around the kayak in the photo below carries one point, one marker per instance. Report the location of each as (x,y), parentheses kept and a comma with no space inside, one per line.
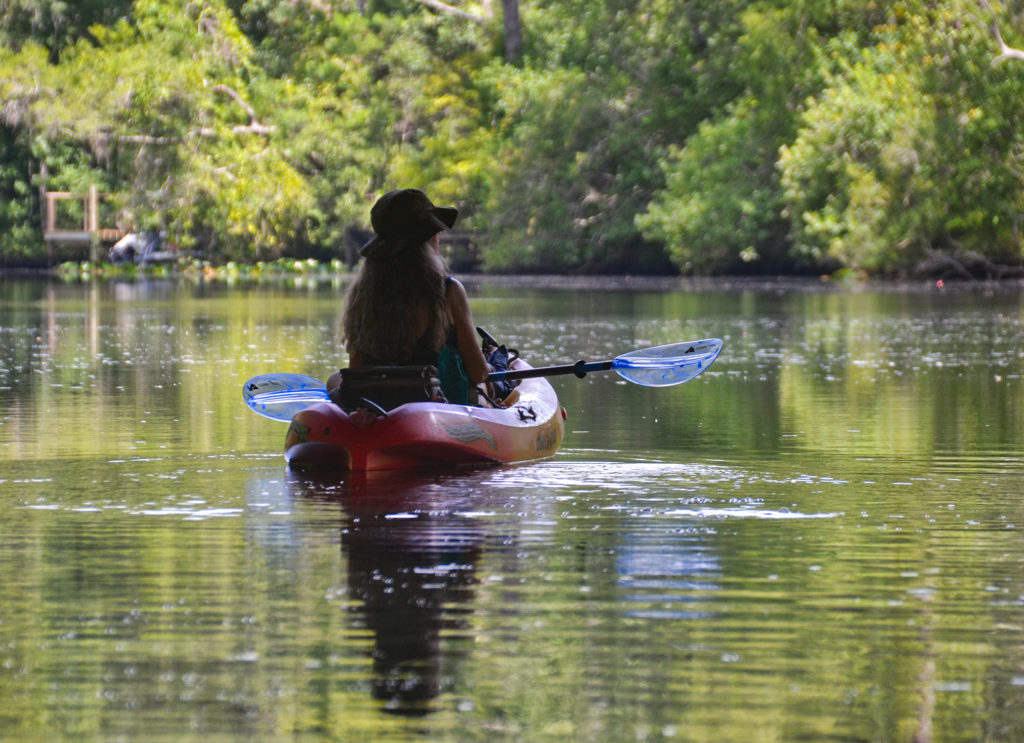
(822,539)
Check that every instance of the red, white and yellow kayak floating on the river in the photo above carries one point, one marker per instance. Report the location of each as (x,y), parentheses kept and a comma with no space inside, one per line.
(421,435)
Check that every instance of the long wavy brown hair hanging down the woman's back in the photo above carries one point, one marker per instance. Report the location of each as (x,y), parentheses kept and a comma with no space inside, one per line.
(395,302)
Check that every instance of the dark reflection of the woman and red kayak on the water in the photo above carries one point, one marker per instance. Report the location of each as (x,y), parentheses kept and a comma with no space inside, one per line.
(412,550)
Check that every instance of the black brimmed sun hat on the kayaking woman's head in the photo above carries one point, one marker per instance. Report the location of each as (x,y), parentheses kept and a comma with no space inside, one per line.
(404,218)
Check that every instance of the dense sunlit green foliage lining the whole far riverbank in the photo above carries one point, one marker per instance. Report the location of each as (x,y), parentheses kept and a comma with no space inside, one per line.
(703,137)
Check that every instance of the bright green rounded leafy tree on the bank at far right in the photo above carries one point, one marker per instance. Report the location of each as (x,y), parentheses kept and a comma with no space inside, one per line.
(909,149)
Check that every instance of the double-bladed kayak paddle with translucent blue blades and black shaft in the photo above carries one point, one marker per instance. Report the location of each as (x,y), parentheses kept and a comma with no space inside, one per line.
(280,397)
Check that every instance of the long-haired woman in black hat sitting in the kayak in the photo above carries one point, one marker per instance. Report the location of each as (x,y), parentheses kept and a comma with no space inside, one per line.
(403,309)
